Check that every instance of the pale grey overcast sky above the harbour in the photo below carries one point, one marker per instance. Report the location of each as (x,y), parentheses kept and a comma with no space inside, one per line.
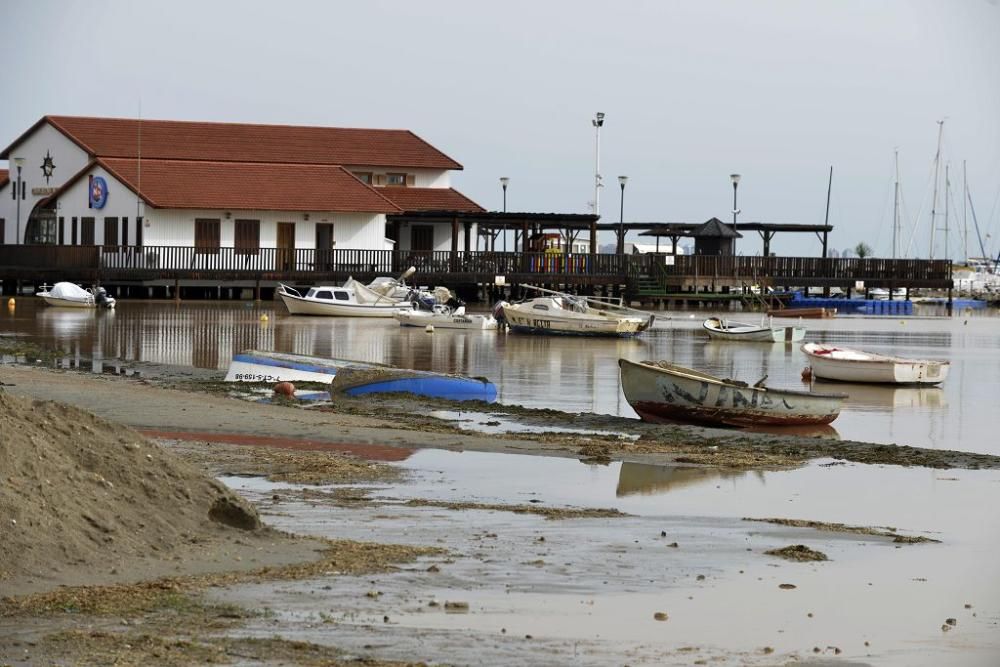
(693,91)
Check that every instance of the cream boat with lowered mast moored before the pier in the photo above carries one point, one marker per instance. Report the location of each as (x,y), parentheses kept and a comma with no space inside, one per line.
(560,313)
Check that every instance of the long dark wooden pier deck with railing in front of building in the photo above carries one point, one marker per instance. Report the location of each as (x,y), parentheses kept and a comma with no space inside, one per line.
(641,274)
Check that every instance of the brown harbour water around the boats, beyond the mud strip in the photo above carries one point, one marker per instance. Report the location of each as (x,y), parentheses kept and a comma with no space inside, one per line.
(571,374)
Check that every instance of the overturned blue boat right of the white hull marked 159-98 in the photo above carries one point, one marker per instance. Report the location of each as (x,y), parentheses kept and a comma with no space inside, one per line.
(357,381)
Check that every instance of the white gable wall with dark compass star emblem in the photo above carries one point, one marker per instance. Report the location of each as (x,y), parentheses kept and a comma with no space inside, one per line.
(68,159)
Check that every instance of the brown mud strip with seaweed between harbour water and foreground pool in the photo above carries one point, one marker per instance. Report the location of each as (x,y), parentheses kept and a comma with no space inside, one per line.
(203,407)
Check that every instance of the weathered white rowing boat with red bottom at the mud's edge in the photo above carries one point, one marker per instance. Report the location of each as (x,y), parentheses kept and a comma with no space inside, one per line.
(663,392)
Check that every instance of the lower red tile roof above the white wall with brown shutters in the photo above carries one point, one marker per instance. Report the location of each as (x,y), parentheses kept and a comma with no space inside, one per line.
(244,185)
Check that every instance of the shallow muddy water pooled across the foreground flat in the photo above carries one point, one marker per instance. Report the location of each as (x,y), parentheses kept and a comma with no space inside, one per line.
(586,591)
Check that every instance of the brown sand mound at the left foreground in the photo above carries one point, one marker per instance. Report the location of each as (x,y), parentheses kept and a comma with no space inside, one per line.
(80,493)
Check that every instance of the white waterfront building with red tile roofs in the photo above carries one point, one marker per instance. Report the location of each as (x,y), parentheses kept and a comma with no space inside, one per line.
(130,183)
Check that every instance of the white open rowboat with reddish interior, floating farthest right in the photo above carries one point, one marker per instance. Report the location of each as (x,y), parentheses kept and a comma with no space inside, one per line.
(831,362)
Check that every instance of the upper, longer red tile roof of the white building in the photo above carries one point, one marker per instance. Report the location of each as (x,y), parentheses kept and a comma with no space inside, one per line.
(240,142)
